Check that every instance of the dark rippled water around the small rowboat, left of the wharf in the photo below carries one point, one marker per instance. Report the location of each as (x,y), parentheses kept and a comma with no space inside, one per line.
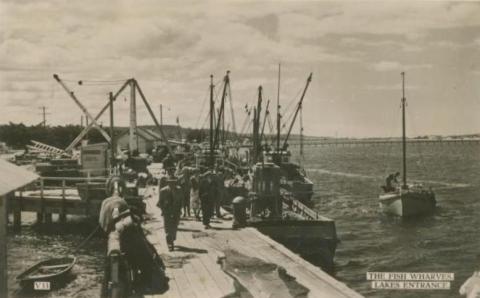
(35,244)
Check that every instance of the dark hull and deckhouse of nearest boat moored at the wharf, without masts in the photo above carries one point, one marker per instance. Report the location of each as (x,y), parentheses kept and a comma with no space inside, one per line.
(279,215)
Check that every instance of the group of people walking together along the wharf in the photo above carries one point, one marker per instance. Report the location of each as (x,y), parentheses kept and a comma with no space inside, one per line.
(188,191)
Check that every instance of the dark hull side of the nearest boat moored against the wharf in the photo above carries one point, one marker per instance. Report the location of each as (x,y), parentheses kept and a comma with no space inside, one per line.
(314,240)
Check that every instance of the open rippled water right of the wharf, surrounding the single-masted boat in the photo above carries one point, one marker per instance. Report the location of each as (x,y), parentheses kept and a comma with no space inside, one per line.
(347,182)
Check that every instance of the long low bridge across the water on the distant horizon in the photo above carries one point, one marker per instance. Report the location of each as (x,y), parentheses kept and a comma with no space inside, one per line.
(351,142)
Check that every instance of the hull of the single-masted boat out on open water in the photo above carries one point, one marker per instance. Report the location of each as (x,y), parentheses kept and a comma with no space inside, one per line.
(407,204)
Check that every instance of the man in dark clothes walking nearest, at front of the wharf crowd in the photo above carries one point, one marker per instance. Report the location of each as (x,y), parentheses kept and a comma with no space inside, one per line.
(170,202)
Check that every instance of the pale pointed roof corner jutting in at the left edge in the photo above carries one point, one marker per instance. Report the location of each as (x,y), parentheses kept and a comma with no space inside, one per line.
(13,177)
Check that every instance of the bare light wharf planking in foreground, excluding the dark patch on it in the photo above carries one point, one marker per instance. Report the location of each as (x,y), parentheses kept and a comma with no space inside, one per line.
(194,271)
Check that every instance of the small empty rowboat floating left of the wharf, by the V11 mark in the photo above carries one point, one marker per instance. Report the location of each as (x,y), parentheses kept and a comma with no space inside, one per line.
(48,274)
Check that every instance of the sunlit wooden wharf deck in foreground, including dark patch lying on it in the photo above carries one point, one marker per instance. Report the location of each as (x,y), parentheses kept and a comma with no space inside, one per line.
(195,269)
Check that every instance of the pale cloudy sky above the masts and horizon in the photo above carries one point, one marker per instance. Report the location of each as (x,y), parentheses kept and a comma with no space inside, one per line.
(355,50)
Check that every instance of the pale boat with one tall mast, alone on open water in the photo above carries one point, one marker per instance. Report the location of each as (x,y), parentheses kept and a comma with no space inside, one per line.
(407,200)
